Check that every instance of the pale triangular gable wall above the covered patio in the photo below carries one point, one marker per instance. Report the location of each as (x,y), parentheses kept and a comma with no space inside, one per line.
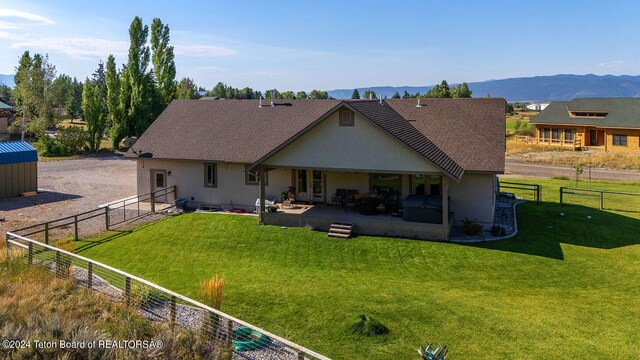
(363,147)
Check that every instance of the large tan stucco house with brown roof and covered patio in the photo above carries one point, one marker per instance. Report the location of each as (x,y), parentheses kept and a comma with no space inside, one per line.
(217,152)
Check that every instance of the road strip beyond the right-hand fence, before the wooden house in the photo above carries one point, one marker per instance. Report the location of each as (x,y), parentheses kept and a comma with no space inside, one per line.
(516,168)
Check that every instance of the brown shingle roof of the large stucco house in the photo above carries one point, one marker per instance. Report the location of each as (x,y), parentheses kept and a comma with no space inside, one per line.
(455,134)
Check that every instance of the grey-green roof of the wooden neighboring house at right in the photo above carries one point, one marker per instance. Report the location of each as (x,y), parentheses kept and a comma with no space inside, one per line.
(622,112)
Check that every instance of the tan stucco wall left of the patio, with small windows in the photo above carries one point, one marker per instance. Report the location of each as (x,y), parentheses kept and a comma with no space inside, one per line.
(188,176)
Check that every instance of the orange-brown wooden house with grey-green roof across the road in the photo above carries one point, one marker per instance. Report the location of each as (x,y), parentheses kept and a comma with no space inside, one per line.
(611,124)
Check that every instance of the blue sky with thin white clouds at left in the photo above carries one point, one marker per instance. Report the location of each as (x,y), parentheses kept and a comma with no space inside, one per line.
(302,45)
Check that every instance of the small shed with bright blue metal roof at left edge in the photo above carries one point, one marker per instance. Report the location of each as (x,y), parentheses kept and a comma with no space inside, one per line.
(18,168)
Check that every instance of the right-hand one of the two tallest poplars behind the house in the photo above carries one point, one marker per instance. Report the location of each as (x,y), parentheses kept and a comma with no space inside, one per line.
(163,62)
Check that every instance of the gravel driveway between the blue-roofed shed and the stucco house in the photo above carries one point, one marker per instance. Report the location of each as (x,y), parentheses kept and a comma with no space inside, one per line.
(69,187)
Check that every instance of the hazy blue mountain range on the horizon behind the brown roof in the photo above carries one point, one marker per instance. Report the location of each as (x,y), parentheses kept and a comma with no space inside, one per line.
(537,88)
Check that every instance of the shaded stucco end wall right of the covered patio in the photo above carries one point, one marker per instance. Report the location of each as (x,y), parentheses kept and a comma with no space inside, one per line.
(473,198)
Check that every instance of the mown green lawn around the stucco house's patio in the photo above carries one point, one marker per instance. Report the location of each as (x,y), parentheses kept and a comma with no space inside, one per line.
(566,287)
